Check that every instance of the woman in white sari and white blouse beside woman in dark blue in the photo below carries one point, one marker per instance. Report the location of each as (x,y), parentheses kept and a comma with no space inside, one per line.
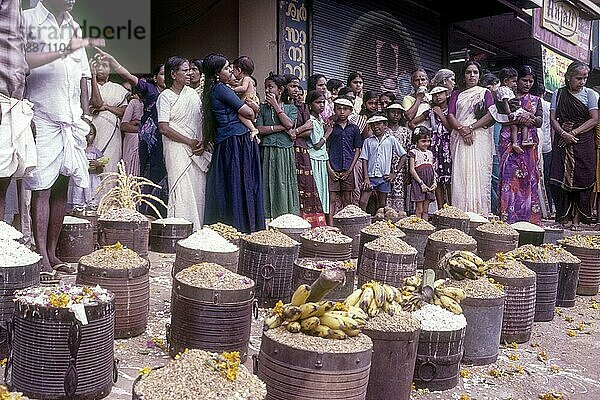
(180,123)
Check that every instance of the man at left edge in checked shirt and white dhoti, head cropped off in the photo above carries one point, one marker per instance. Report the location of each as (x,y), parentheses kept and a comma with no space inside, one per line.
(17,148)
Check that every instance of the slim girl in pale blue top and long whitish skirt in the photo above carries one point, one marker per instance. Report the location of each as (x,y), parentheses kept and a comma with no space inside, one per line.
(316,146)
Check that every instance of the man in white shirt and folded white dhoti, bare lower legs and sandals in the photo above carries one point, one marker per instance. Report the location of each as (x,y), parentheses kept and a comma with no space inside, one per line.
(57,86)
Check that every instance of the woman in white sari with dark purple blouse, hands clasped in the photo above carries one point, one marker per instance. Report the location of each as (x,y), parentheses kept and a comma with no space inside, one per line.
(471,142)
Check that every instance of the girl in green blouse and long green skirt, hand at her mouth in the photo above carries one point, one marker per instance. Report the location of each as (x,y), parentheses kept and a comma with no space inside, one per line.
(275,123)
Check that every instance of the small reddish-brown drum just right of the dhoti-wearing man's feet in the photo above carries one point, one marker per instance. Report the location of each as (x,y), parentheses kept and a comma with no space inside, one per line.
(75,241)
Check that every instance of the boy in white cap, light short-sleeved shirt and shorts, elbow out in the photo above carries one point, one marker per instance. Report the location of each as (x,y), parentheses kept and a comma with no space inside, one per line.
(376,155)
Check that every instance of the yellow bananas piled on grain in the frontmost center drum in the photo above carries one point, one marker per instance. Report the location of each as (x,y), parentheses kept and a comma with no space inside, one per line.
(326,319)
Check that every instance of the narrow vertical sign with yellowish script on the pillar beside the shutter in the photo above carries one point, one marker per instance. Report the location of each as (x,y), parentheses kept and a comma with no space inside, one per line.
(293,39)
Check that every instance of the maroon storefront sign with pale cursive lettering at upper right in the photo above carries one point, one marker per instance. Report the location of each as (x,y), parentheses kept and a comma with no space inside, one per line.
(579,51)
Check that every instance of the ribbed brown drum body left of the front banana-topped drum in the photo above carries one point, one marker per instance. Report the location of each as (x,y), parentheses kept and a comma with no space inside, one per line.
(210,319)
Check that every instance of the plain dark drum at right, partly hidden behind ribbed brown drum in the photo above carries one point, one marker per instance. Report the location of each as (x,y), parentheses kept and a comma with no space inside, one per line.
(546,288)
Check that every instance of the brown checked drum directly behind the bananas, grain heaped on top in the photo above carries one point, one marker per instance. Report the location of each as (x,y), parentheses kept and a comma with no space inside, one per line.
(386,267)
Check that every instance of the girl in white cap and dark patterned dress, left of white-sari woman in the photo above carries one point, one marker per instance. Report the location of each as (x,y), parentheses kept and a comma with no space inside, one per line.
(440,144)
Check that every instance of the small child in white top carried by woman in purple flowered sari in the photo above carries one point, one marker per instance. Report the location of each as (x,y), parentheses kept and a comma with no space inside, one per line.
(507,104)
